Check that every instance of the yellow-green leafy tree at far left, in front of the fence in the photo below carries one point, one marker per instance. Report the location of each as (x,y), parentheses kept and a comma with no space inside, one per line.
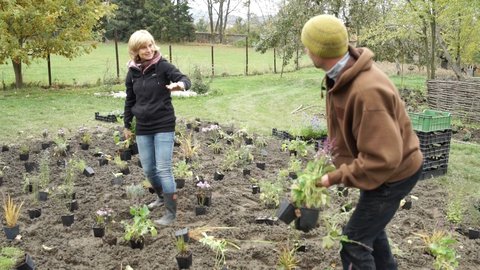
(63,27)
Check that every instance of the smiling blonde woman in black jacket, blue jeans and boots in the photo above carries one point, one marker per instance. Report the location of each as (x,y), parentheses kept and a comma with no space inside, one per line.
(150,79)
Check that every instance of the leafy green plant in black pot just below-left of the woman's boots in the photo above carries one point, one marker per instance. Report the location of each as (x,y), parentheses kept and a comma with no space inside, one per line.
(141,225)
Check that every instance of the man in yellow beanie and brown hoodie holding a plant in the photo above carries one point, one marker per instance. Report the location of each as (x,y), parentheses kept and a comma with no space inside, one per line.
(376,148)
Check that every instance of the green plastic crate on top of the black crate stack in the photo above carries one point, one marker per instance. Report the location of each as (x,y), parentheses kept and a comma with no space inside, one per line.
(430,120)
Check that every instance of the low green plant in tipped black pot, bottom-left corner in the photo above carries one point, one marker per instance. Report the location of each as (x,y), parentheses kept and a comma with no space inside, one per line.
(15,258)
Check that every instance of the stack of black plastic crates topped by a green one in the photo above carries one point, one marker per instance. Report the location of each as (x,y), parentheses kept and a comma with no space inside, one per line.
(434,133)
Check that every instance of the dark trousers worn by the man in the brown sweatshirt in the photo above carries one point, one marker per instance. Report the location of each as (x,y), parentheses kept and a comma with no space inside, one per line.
(367,224)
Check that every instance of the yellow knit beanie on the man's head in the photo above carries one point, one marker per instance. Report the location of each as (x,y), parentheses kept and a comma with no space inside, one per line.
(325,36)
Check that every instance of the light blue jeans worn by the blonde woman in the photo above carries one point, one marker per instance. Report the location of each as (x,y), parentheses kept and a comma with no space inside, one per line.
(156,153)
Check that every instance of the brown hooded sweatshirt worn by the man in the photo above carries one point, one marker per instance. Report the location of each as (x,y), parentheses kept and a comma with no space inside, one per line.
(374,139)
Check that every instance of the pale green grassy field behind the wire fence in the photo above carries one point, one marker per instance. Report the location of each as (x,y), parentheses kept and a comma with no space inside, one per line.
(100,65)
